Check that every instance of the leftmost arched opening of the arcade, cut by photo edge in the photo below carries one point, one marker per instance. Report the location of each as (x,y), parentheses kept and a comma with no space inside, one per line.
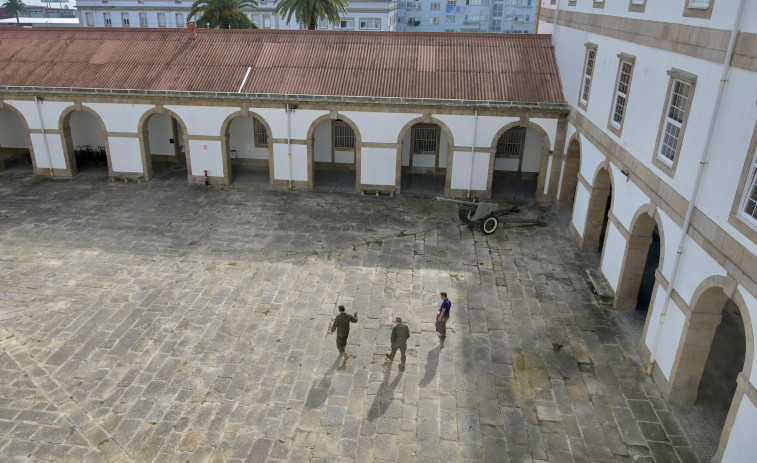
(15,152)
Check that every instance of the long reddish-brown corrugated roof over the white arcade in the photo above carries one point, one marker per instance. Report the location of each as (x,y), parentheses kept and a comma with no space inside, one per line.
(494,67)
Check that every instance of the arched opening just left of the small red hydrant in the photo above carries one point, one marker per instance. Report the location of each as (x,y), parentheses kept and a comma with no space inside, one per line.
(163,143)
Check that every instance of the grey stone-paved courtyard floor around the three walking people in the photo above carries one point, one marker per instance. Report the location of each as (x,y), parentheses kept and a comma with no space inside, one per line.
(167,322)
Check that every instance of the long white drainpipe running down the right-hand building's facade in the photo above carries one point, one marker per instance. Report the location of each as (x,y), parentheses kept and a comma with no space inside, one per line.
(697,182)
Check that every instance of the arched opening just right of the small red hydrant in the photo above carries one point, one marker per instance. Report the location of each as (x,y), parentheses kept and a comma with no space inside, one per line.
(248,148)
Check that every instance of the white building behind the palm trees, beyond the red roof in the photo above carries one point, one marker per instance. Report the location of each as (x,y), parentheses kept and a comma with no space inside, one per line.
(361,15)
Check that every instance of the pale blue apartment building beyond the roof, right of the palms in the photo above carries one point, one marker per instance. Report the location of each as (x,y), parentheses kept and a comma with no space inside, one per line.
(507,16)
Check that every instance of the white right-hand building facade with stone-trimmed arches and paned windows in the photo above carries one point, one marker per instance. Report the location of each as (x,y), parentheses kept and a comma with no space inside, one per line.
(661,146)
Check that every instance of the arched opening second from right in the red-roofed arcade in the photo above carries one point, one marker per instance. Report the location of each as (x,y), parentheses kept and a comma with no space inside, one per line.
(425,159)
